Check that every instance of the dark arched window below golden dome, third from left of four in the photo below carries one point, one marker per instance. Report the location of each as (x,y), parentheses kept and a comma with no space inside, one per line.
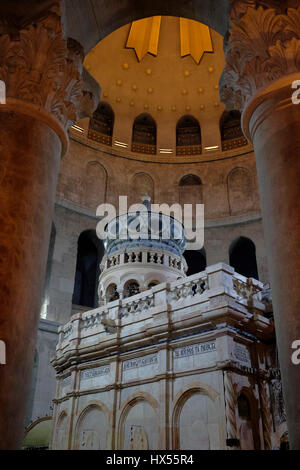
(188,136)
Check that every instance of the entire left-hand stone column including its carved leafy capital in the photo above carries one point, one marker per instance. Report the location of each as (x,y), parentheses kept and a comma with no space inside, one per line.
(43,76)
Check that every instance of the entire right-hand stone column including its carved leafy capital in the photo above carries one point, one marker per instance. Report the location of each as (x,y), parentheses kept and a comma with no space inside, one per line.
(262,55)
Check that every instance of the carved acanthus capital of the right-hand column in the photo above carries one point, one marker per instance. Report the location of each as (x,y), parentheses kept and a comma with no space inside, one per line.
(263,45)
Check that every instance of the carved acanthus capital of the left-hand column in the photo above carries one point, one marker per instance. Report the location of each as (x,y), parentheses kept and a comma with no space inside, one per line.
(39,66)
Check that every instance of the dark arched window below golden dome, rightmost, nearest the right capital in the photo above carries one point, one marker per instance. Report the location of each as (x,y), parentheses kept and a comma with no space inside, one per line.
(231,132)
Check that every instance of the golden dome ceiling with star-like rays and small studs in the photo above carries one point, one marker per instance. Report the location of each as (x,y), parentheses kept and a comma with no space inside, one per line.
(160,65)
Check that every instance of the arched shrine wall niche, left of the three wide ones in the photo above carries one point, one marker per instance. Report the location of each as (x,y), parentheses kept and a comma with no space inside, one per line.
(92,429)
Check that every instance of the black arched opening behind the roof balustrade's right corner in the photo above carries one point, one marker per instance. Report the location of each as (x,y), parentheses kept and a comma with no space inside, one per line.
(242,257)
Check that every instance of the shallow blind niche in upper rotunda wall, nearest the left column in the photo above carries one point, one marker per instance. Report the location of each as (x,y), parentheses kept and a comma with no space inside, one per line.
(95,183)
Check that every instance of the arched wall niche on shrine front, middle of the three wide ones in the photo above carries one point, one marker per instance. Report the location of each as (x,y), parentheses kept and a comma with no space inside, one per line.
(139,426)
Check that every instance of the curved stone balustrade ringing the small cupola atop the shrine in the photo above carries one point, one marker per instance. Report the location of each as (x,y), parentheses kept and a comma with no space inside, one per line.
(145,257)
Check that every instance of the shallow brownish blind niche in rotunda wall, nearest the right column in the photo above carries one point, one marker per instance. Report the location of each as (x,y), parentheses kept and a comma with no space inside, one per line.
(240,191)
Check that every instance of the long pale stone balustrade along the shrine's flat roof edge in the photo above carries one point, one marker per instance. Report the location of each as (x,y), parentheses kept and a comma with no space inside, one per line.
(217,280)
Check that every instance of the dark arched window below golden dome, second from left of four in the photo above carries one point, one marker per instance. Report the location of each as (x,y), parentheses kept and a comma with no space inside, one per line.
(144,134)
